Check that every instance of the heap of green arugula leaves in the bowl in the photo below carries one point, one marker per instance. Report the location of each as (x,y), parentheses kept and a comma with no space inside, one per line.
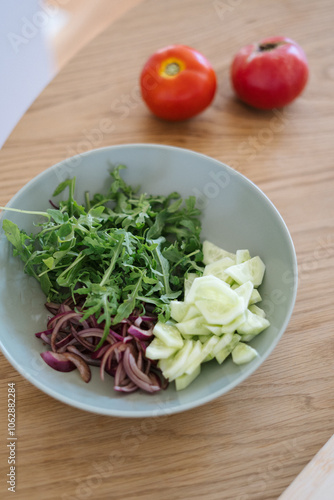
(119,252)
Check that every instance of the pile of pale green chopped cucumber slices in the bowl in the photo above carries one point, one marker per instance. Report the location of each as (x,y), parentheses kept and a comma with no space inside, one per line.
(216,305)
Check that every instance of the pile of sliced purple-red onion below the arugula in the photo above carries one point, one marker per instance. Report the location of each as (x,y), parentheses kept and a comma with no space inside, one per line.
(122,355)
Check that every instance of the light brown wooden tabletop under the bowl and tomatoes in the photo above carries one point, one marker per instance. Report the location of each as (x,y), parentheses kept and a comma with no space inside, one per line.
(251,443)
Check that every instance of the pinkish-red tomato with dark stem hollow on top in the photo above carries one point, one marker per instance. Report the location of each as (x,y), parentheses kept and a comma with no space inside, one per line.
(270,74)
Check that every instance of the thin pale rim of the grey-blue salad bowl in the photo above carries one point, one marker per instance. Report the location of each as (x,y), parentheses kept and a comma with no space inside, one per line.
(211,396)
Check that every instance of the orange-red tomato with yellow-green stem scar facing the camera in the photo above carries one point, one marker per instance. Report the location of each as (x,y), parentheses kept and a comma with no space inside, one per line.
(177,83)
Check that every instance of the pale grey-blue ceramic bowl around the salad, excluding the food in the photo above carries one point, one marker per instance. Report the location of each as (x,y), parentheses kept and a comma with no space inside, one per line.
(236,214)
